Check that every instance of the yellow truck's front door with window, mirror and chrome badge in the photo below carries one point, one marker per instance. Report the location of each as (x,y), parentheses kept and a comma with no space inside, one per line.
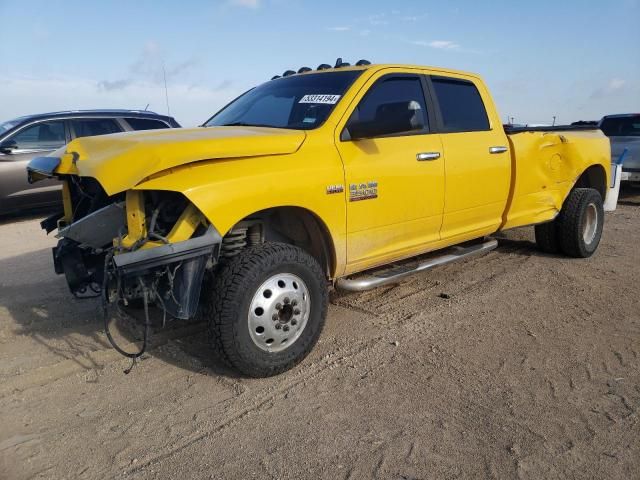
(394,171)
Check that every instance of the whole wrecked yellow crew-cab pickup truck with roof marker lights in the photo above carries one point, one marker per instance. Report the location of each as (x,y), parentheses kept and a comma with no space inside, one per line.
(345,176)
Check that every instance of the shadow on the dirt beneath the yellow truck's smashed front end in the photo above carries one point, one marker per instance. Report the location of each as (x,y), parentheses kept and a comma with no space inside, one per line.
(37,304)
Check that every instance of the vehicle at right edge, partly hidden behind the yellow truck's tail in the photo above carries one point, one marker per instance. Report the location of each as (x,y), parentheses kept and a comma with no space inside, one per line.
(624,133)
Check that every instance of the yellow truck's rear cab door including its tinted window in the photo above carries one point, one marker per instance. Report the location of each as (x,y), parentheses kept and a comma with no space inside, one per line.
(478,162)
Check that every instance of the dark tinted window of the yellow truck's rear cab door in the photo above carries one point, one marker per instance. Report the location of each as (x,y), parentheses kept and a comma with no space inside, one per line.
(460,105)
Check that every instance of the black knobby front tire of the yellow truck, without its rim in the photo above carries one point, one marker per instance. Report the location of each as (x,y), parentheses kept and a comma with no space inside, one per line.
(226,307)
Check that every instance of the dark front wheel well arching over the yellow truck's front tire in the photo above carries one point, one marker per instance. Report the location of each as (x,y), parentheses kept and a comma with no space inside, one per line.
(295,226)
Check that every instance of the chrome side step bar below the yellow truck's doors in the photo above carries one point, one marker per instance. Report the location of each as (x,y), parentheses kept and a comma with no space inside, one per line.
(393,275)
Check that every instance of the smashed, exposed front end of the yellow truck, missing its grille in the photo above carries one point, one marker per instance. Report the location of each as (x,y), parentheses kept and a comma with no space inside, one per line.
(132,247)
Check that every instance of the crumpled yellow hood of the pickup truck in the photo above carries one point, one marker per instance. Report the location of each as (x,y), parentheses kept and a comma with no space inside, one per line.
(123,160)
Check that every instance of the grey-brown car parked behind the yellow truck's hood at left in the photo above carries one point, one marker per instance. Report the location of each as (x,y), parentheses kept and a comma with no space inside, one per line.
(27,137)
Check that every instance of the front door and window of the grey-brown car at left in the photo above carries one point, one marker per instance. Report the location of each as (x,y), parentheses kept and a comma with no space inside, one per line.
(34,140)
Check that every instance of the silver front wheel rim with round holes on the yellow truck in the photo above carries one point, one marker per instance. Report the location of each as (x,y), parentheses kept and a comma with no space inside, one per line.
(278,312)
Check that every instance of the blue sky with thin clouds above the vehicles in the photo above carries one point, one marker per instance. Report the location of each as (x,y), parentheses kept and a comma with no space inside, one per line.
(575,59)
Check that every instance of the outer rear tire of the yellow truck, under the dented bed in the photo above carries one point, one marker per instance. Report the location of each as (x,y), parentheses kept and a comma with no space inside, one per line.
(573,221)
